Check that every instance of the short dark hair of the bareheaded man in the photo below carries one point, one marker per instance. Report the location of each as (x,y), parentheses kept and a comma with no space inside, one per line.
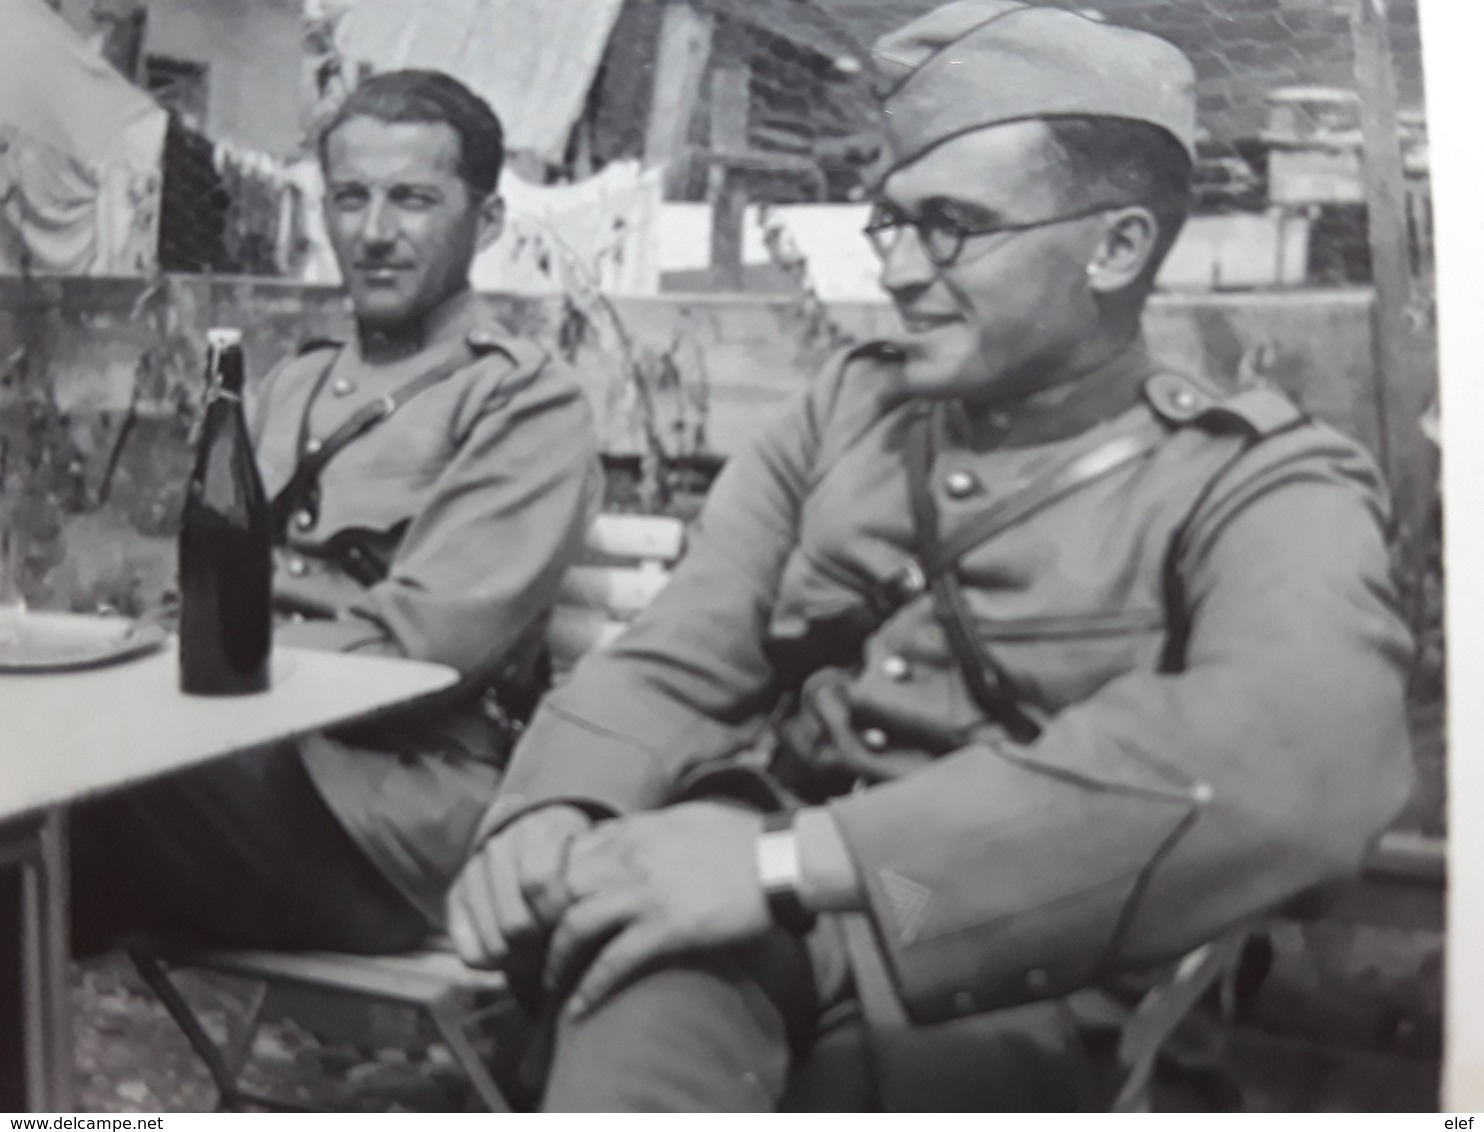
(415,96)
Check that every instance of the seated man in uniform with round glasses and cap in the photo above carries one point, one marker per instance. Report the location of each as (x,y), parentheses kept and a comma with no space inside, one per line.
(1005,667)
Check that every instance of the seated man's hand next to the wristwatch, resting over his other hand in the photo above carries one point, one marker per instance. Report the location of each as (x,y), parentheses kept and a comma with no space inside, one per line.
(657,885)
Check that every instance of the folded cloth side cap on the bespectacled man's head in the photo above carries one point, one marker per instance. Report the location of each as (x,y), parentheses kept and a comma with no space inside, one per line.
(985,63)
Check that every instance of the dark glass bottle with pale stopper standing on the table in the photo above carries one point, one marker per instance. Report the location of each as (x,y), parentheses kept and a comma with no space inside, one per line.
(226,544)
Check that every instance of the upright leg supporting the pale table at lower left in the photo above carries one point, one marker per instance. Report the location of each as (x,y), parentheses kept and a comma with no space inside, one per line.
(47,950)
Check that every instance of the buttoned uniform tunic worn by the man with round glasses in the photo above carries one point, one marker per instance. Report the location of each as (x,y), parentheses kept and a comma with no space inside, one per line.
(1163,802)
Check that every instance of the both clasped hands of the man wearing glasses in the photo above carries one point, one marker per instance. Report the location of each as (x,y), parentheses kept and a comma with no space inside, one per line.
(611,900)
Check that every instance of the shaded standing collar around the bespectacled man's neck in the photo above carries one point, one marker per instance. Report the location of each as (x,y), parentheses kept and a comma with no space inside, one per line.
(1065,409)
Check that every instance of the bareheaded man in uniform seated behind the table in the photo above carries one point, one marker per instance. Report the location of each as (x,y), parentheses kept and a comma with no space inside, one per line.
(439,530)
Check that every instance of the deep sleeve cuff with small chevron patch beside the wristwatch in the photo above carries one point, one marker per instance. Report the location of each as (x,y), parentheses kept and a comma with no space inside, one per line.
(1017,894)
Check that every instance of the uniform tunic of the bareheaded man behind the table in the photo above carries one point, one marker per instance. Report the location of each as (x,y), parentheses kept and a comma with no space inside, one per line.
(492,477)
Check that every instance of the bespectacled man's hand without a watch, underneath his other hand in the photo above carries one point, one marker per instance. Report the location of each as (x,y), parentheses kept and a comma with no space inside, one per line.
(513,891)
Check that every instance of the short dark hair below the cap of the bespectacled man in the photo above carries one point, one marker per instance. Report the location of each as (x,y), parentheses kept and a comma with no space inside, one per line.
(1130,162)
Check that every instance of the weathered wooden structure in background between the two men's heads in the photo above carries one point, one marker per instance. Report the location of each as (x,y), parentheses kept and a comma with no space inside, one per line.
(740,100)
